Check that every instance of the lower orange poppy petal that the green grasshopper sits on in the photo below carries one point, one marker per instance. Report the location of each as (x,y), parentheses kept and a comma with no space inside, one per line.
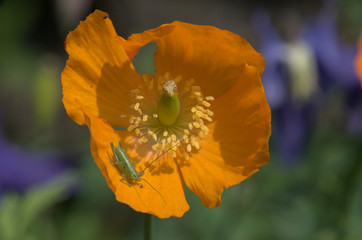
(162,192)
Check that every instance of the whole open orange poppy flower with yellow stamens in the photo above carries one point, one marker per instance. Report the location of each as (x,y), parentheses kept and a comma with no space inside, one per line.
(205,106)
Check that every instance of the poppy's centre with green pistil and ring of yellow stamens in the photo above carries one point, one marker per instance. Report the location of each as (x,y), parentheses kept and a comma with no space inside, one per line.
(165,117)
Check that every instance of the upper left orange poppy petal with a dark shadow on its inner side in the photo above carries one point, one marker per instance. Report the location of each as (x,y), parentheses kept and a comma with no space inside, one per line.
(98,72)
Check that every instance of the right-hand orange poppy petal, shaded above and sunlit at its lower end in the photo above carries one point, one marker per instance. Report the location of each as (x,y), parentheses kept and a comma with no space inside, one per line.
(237,143)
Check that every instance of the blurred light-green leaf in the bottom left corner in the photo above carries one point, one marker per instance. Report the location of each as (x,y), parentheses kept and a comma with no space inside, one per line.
(24,217)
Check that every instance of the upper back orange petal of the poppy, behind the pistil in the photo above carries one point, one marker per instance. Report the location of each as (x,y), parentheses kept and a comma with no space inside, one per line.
(211,56)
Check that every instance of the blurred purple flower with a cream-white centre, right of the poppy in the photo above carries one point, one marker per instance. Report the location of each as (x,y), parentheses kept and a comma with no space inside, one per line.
(290,83)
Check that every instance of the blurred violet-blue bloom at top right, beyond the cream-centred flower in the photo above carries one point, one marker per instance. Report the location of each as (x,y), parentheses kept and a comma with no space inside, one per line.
(335,57)
